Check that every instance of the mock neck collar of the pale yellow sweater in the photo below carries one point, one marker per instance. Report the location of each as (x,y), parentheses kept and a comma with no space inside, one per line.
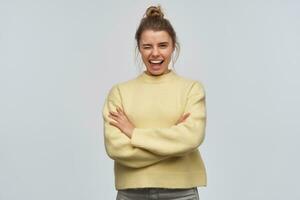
(157,79)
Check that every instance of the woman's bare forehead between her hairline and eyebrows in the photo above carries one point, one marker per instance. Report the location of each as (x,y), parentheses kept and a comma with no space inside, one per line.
(150,36)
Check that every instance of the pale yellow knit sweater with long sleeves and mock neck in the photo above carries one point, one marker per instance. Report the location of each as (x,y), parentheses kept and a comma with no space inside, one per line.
(159,153)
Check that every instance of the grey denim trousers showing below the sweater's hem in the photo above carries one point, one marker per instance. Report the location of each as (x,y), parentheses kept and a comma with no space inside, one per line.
(158,194)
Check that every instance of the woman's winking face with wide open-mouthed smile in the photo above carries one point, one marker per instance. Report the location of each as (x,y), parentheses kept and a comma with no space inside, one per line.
(156,48)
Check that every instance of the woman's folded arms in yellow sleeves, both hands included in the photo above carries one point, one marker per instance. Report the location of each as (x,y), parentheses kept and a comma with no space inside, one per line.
(141,147)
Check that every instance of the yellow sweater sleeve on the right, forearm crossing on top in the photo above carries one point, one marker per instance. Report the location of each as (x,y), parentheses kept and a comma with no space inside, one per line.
(179,139)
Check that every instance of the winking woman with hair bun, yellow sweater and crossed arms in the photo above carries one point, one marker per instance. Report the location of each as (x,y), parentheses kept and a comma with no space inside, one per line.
(154,123)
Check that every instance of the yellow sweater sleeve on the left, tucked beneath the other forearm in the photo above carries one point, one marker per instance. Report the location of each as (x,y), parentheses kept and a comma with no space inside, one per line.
(117,144)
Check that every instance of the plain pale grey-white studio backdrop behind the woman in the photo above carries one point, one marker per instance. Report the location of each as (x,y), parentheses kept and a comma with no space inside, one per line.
(59,58)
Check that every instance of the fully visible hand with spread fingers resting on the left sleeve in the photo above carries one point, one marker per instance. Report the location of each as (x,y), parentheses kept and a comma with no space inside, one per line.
(122,122)
